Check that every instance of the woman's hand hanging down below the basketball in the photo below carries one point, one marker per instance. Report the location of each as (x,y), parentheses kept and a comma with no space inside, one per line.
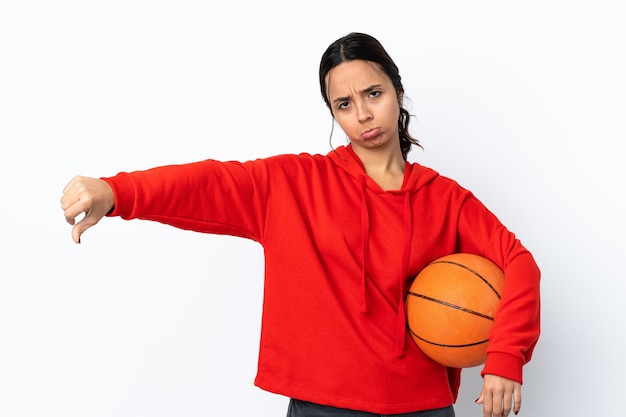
(499,396)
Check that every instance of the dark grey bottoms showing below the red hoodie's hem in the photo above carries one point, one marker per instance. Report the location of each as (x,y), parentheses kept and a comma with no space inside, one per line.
(299,408)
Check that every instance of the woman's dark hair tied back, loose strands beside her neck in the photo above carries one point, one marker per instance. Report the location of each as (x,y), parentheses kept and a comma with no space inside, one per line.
(365,47)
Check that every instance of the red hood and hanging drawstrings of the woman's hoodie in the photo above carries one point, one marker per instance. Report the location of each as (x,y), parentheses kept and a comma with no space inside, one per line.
(415,177)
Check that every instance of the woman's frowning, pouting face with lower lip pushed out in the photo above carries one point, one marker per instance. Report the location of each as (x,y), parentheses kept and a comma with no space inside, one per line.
(365,104)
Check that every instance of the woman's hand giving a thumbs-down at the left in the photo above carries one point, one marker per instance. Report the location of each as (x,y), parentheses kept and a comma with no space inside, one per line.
(91,196)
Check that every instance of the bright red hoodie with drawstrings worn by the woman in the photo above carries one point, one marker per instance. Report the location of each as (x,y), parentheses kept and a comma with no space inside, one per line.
(340,254)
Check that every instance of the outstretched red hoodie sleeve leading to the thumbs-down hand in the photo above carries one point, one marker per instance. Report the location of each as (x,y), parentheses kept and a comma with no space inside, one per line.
(208,196)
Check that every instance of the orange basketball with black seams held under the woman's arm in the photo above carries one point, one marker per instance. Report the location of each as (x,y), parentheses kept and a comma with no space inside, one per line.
(450,308)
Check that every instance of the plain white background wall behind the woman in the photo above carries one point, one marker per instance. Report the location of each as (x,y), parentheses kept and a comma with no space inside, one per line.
(522,102)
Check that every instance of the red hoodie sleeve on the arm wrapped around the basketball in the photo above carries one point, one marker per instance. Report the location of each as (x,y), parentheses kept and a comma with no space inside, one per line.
(516,324)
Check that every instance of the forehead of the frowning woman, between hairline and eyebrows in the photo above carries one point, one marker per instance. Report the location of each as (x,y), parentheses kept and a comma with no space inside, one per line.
(353,76)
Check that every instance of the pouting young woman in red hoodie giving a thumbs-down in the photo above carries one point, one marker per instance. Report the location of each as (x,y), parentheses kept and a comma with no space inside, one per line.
(345,231)
